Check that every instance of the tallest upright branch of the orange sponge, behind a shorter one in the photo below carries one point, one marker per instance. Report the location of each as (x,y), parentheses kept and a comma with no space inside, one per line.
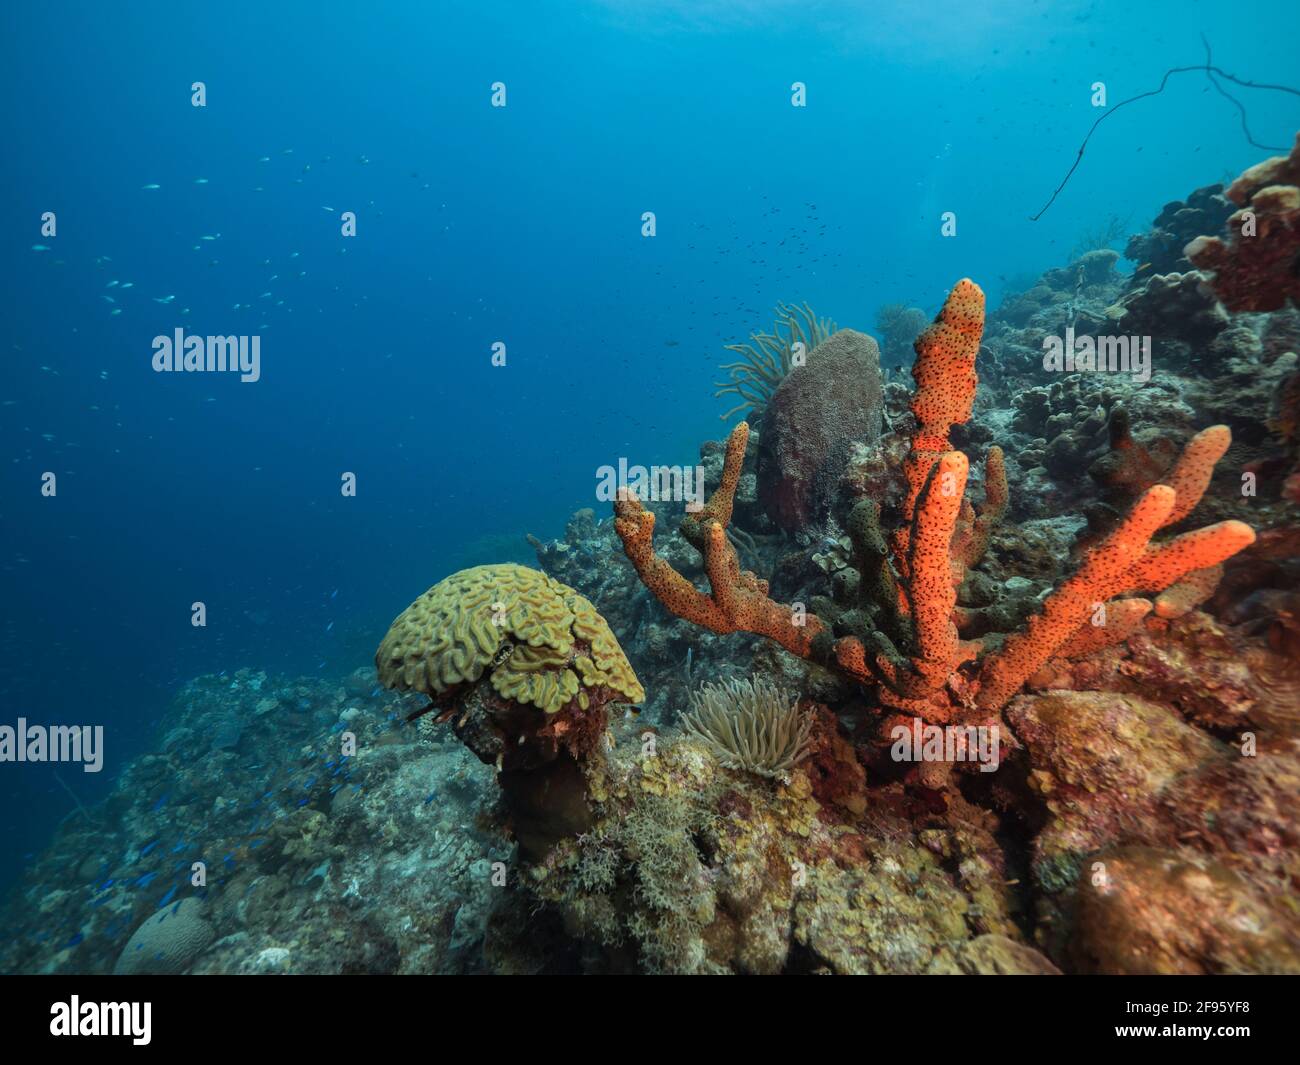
(946,392)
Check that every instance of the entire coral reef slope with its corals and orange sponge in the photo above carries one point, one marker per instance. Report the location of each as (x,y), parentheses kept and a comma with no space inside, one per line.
(1020,720)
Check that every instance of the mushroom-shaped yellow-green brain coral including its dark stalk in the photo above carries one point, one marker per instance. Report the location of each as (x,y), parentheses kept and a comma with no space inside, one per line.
(525,669)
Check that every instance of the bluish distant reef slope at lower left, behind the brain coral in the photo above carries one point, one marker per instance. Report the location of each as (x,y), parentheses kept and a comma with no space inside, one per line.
(315,860)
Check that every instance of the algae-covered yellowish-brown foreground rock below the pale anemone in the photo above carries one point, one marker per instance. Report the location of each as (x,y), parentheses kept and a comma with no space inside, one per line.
(695,868)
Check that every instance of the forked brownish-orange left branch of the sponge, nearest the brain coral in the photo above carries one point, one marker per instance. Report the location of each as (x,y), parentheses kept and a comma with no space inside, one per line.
(739,601)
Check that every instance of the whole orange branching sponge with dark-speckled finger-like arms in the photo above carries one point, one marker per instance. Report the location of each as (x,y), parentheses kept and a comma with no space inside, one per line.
(899,631)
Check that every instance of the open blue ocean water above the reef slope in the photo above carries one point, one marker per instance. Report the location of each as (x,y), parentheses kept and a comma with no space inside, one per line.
(480,226)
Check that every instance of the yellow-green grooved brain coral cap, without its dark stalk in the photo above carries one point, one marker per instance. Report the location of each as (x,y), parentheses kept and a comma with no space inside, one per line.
(540,642)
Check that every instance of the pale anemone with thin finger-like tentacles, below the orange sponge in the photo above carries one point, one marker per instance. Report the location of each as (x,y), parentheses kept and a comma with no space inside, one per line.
(749,725)
